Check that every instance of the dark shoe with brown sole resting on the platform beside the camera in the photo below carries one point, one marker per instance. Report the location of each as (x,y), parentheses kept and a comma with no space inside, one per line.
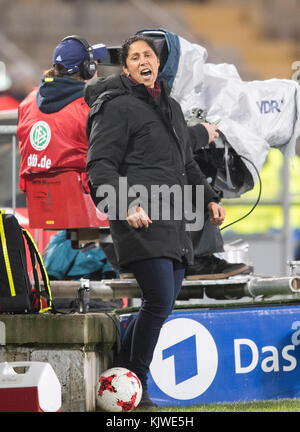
(211,267)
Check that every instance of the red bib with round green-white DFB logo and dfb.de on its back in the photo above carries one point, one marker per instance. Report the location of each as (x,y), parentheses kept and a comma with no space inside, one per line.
(53,141)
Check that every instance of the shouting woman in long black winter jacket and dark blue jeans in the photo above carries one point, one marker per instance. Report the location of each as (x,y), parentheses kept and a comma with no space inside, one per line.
(137,133)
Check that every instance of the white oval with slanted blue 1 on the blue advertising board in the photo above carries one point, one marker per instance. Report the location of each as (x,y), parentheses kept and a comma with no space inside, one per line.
(185,359)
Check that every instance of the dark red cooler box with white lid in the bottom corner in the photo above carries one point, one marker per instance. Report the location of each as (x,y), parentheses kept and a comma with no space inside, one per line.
(36,389)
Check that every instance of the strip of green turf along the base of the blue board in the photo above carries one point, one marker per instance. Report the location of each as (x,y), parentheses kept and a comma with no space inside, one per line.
(281,405)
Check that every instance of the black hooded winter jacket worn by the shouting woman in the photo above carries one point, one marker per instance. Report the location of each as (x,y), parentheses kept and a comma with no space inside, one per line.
(147,142)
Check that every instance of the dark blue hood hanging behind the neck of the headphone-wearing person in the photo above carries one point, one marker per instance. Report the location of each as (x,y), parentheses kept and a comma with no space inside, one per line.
(55,93)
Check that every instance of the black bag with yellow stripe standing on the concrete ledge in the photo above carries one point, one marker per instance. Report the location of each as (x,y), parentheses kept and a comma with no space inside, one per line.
(17,295)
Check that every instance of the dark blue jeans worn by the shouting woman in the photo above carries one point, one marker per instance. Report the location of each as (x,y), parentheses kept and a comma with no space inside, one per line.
(160,280)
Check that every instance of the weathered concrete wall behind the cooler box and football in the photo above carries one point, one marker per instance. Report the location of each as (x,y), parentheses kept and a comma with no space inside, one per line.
(78,347)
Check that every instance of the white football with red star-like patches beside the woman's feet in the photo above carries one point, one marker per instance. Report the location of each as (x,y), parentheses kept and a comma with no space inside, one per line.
(118,390)
